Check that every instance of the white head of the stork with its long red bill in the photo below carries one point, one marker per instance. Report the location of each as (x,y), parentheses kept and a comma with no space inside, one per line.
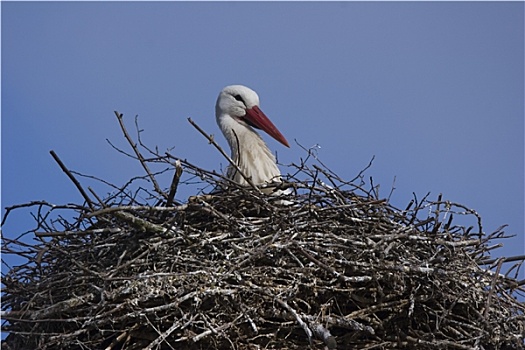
(240,104)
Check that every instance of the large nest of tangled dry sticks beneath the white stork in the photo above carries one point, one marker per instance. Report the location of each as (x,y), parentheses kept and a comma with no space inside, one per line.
(331,266)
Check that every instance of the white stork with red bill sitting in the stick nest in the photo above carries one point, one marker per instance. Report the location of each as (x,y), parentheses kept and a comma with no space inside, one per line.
(238,115)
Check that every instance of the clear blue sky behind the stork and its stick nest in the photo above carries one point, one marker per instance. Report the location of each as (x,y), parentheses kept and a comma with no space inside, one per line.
(435,90)
